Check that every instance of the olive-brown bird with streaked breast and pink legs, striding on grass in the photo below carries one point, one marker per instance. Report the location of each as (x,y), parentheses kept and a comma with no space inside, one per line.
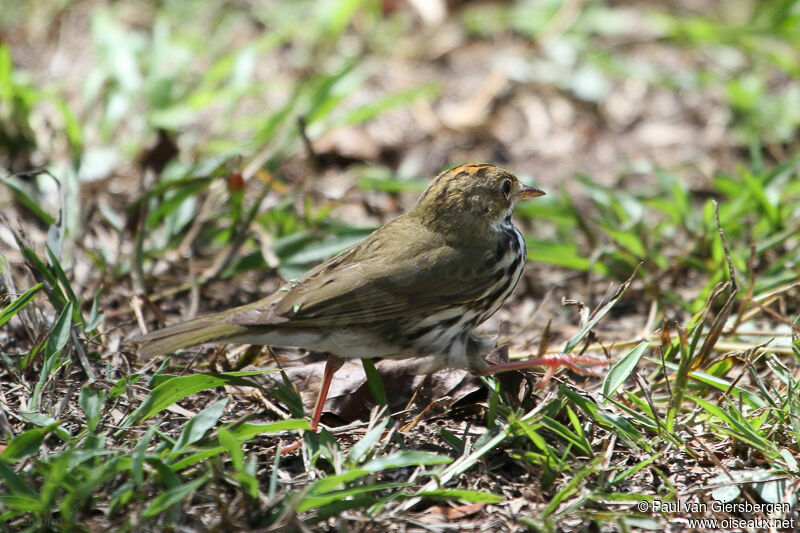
(417,287)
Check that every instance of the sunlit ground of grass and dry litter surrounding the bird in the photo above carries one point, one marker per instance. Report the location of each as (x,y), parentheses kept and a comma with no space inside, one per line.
(164,158)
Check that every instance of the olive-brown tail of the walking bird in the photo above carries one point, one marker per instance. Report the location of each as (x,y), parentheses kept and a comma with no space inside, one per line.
(208,328)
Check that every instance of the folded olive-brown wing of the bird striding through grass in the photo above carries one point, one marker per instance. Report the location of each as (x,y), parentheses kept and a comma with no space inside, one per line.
(366,284)
